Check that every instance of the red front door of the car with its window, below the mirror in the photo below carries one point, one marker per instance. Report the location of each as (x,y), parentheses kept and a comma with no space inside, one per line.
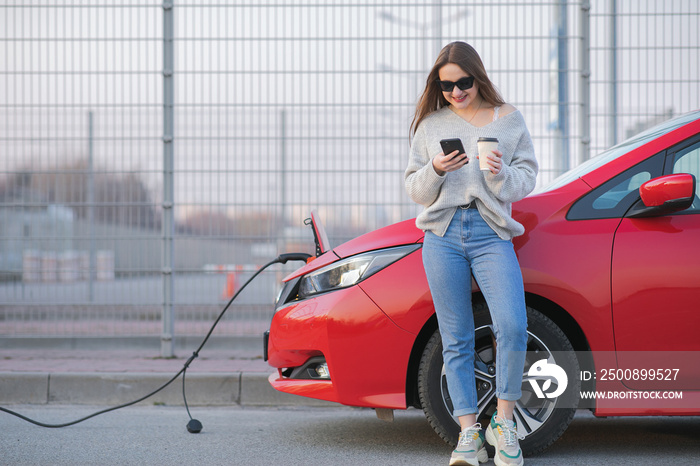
(656,285)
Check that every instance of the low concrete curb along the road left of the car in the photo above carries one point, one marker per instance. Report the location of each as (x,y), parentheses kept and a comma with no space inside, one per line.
(107,388)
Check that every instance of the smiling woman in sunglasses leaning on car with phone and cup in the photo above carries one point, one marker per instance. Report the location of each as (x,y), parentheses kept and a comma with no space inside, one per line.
(468,230)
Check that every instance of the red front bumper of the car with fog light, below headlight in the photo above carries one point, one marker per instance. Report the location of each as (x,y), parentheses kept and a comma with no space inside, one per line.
(366,353)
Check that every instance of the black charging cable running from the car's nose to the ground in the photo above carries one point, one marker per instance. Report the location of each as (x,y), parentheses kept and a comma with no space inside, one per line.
(193,426)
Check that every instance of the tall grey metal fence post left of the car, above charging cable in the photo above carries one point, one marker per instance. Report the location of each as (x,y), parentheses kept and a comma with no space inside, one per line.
(167,341)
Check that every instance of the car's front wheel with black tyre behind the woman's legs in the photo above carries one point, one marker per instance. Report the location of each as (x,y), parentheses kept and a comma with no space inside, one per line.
(541,421)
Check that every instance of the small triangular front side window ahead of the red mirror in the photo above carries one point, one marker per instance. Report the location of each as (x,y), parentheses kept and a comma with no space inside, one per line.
(614,197)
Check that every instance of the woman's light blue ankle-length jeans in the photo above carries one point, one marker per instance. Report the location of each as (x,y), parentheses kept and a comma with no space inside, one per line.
(469,247)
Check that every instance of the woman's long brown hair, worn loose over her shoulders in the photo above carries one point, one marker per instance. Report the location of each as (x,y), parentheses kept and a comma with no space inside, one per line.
(464,56)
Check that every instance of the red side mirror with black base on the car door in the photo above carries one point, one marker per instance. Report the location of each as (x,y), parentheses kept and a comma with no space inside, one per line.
(664,195)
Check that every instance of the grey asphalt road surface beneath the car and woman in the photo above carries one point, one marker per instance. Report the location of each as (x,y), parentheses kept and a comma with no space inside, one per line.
(312,436)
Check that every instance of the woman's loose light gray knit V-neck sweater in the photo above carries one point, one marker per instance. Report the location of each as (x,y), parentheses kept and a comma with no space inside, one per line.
(442,195)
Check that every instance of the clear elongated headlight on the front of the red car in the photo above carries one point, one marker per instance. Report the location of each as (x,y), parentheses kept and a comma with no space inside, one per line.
(352,270)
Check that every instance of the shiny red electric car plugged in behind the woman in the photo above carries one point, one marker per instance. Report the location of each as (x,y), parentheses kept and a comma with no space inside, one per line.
(611,266)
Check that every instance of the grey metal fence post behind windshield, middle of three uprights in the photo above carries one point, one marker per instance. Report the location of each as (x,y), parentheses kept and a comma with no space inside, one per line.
(585,116)
